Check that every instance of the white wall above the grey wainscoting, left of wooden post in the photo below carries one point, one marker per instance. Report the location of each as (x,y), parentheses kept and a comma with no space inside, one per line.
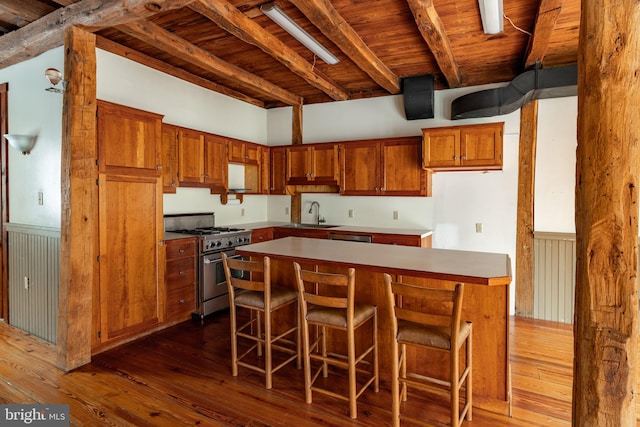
(34,111)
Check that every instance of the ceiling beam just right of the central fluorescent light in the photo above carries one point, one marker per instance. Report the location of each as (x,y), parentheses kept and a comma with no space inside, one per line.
(324,16)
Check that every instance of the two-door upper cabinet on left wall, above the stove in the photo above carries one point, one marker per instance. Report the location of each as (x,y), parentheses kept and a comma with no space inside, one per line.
(203,160)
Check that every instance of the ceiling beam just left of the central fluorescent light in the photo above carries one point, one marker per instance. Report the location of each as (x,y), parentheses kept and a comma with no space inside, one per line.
(235,22)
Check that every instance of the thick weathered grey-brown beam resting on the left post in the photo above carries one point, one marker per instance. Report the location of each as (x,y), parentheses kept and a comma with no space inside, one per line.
(48,32)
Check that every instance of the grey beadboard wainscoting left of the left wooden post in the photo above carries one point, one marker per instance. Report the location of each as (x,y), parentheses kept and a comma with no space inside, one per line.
(34,278)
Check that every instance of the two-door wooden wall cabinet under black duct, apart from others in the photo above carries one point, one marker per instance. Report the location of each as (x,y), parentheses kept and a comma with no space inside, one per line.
(472,147)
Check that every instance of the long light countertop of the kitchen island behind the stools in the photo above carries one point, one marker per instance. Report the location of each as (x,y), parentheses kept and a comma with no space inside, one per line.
(479,268)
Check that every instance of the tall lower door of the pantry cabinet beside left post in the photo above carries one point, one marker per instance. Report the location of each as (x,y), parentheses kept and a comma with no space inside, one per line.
(132,259)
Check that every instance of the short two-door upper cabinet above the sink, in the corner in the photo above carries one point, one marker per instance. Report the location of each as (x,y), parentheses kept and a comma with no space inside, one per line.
(312,164)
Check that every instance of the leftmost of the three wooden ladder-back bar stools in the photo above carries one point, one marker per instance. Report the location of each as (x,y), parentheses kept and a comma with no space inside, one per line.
(258,296)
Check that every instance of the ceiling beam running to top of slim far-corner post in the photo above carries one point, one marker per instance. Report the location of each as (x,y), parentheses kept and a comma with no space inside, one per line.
(164,40)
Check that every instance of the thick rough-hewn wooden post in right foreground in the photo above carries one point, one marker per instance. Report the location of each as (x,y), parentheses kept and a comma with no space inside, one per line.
(608,164)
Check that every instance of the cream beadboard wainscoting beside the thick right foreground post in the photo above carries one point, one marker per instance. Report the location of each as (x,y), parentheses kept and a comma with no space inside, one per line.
(554,277)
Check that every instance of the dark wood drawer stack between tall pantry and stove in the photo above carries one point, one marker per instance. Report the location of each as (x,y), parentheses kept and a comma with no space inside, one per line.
(181,273)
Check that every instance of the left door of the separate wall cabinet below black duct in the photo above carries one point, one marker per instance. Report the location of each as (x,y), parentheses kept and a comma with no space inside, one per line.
(440,148)
